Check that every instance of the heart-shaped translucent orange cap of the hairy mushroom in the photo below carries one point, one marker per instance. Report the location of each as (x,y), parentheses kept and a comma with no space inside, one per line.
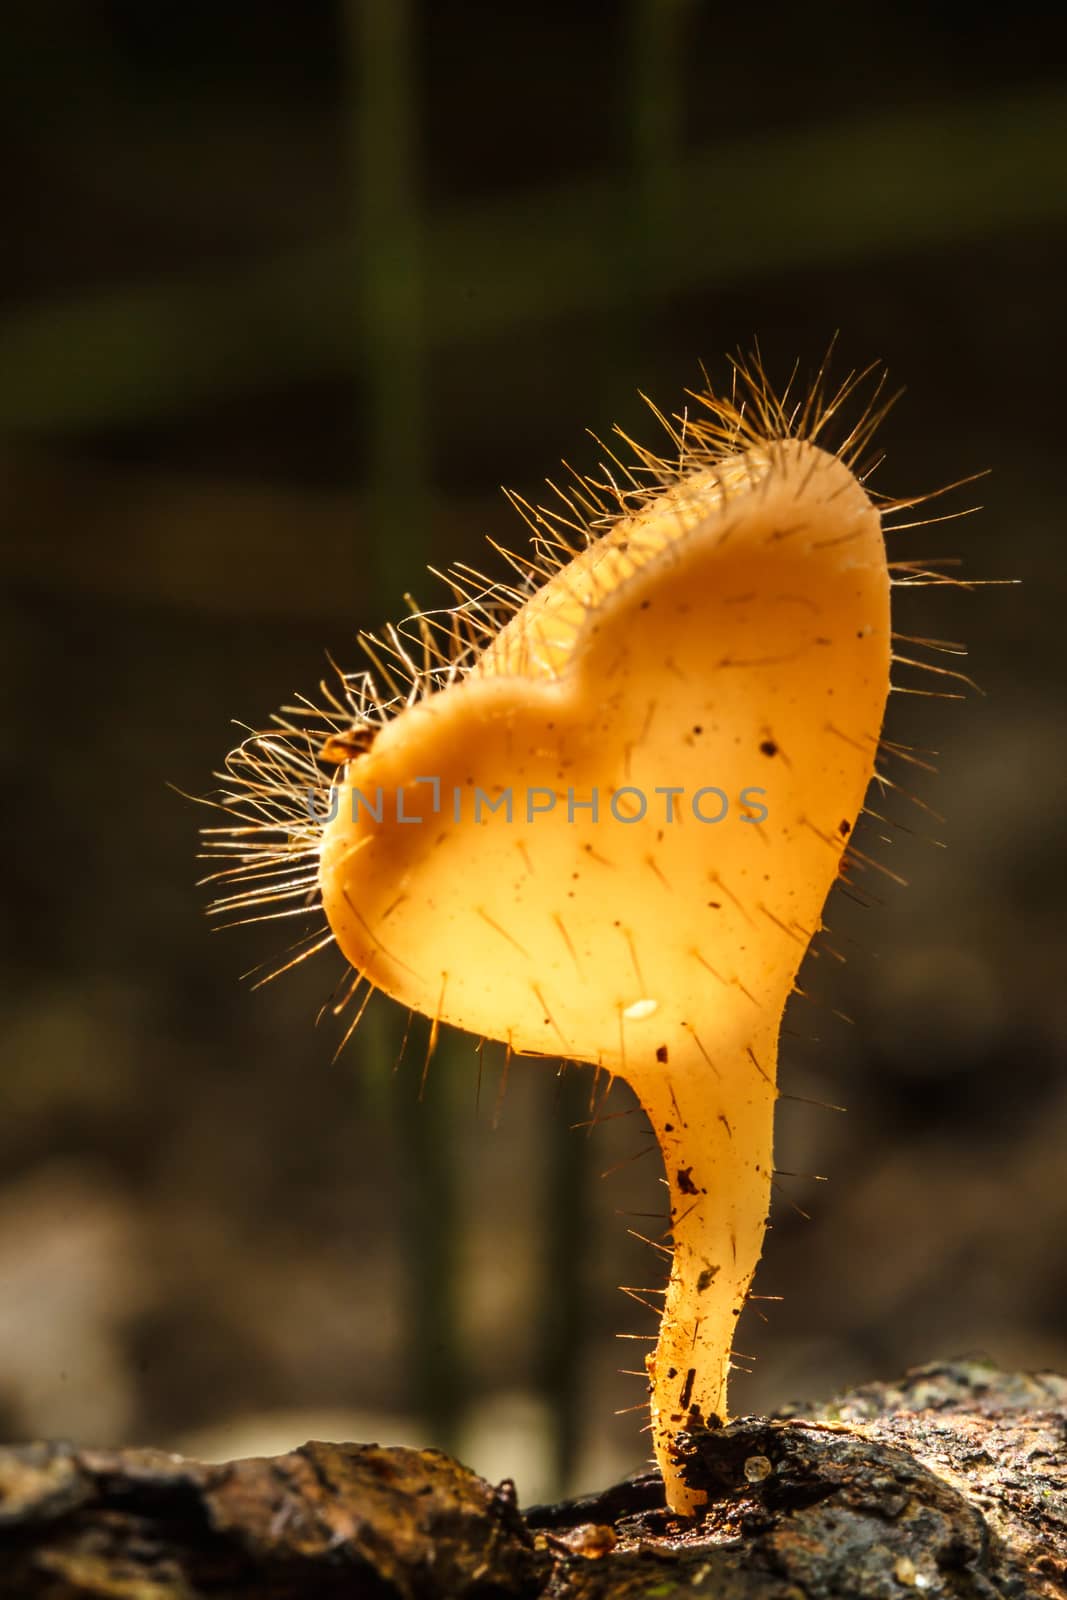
(532,878)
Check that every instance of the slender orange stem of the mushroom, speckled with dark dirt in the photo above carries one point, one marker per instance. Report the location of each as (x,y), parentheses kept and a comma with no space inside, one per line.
(717,1154)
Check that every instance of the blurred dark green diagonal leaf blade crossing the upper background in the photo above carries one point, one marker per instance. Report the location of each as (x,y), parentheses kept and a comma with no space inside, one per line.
(837,194)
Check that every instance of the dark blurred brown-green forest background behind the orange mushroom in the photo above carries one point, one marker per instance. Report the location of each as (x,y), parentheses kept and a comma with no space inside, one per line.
(287,294)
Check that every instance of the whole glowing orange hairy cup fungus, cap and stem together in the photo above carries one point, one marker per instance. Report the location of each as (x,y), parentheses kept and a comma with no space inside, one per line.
(597,815)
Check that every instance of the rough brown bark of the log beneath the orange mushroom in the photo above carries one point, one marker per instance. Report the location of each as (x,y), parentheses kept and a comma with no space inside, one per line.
(951,1484)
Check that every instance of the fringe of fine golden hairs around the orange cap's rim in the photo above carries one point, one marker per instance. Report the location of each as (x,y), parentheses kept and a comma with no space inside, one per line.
(278,783)
